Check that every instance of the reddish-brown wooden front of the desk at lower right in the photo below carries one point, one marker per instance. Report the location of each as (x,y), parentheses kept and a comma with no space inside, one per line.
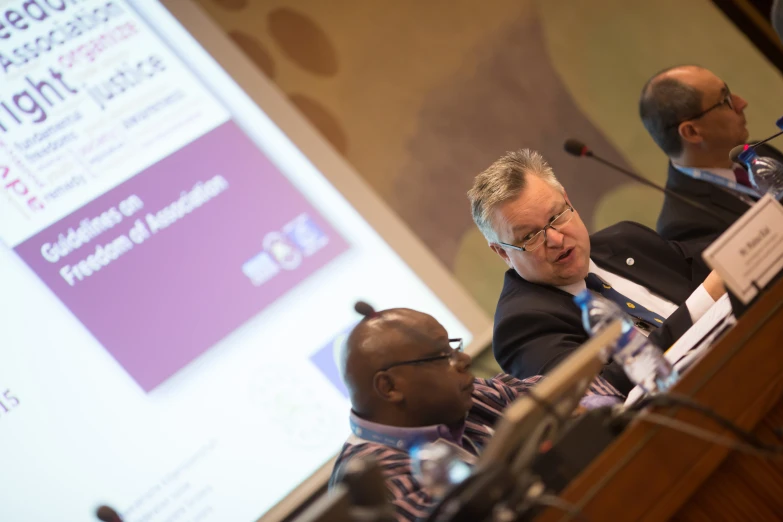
(650,472)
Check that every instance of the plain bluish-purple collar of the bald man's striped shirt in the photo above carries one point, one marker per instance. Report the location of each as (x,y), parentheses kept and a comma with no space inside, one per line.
(404,438)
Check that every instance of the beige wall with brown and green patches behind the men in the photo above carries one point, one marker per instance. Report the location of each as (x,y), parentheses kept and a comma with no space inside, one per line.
(420,95)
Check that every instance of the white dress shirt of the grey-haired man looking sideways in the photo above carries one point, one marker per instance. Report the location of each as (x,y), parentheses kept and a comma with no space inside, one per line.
(698,303)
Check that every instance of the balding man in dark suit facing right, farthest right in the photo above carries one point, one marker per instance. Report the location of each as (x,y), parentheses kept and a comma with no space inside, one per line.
(696,120)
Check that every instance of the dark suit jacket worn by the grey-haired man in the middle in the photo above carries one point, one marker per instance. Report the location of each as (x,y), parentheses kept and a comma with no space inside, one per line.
(538,326)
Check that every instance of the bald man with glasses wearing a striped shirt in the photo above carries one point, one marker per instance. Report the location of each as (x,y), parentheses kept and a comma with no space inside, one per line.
(409,383)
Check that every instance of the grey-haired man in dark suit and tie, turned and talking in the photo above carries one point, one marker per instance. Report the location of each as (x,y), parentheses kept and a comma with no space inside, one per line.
(528,220)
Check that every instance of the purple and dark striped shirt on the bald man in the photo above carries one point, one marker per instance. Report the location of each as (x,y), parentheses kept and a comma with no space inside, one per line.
(411,500)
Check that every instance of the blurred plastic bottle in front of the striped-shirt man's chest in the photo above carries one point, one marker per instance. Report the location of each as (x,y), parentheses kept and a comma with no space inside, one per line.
(438,466)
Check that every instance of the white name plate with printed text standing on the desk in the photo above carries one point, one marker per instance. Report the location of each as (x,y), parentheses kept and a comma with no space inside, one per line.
(750,253)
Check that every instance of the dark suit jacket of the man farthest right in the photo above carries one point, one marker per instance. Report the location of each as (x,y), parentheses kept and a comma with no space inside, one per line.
(681,222)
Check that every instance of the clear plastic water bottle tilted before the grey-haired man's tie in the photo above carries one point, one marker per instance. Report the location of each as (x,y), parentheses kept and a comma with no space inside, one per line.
(642,361)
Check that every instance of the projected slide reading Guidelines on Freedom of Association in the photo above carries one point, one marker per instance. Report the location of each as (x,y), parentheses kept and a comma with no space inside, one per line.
(175,278)
